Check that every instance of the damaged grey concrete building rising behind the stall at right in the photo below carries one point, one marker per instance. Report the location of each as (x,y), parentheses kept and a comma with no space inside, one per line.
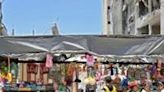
(133,17)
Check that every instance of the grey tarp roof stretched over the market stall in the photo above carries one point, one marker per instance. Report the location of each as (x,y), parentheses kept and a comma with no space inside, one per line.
(98,44)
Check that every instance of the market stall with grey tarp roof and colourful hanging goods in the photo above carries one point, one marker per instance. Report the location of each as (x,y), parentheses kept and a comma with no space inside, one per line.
(48,62)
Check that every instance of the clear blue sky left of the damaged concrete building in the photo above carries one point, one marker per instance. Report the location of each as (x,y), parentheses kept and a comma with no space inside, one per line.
(72,16)
